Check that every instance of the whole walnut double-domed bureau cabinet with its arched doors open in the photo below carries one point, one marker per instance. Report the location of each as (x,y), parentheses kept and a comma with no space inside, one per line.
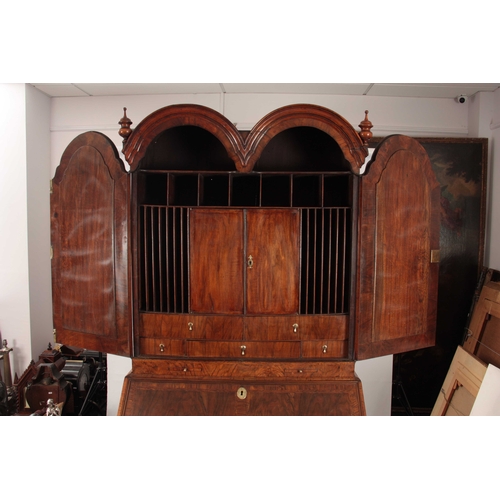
(244,272)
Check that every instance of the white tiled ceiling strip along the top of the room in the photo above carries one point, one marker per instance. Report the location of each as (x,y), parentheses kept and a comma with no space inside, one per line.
(429,90)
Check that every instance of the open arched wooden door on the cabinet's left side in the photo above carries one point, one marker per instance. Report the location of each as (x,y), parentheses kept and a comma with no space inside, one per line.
(89,228)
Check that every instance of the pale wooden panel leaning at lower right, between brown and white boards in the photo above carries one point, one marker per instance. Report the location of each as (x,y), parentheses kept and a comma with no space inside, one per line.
(461,385)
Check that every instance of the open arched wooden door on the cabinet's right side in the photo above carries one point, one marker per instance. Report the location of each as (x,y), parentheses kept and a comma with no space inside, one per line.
(398,253)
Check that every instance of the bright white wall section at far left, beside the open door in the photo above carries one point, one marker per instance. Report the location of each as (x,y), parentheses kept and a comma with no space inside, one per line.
(25,301)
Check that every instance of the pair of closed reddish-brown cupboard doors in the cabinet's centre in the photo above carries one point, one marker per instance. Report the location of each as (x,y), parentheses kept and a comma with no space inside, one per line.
(244,261)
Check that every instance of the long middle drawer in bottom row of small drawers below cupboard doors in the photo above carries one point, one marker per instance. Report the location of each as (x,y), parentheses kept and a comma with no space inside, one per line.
(243,349)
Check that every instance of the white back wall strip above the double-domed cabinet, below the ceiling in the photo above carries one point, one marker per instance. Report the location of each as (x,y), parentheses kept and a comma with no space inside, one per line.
(423,117)
